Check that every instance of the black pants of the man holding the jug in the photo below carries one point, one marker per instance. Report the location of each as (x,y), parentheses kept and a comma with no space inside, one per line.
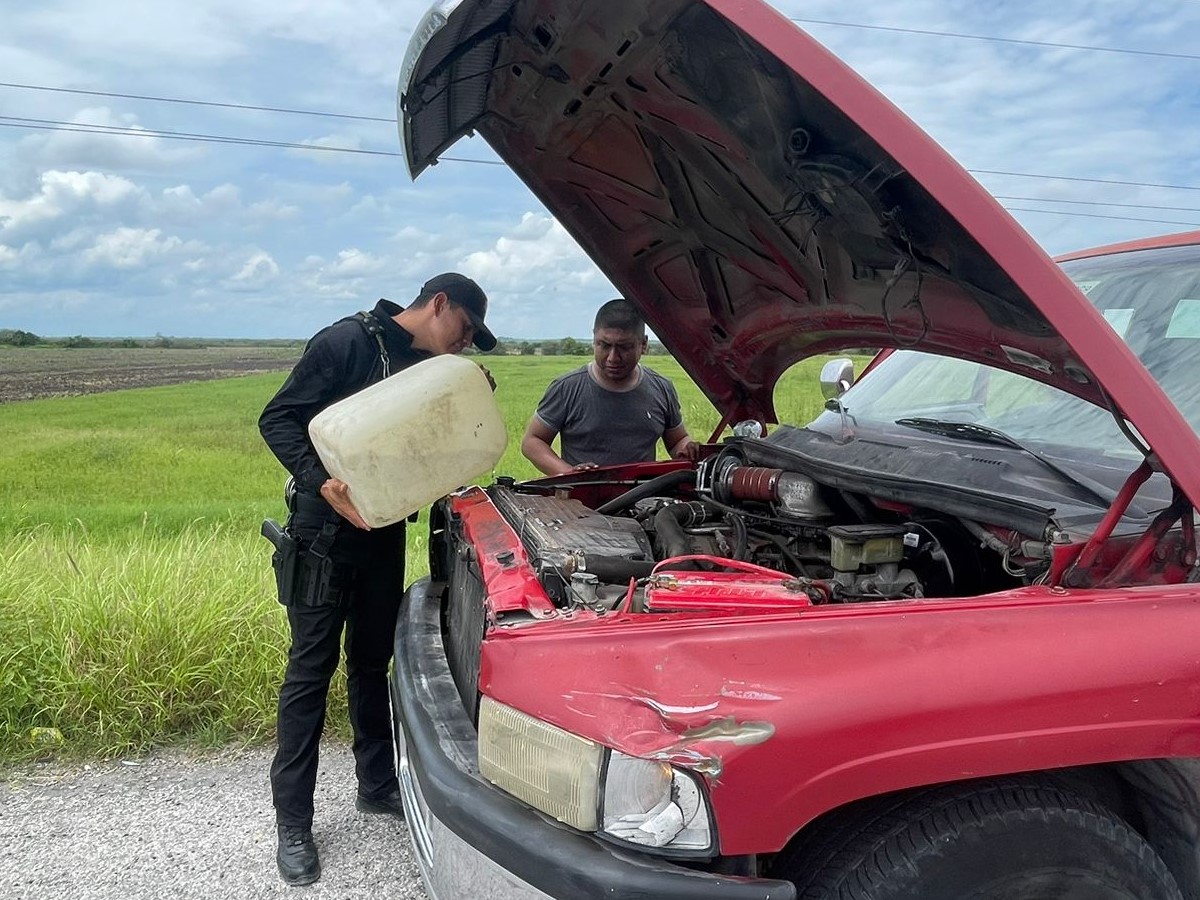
(373,578)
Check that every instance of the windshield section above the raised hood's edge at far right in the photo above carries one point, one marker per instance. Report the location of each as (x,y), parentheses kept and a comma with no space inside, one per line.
(1153,299)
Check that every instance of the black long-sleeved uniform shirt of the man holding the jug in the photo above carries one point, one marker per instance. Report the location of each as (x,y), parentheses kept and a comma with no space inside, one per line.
(338,362)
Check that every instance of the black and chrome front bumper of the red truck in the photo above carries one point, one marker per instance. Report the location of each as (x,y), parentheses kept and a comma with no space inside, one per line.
(475,841)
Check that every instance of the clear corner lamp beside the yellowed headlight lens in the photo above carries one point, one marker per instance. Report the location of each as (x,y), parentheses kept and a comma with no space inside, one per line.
(655,805)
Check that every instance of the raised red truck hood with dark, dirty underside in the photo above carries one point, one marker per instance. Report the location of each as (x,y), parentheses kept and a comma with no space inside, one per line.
(758,200)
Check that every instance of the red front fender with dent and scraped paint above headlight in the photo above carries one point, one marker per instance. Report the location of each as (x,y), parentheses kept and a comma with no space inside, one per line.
(789,716)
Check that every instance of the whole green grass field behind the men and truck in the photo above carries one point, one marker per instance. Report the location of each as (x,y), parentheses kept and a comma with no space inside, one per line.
(136,599)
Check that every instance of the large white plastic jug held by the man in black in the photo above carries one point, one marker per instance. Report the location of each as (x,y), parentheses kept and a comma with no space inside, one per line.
(411,439)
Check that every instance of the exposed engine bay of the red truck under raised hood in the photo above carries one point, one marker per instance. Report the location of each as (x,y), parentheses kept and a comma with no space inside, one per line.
(733,515)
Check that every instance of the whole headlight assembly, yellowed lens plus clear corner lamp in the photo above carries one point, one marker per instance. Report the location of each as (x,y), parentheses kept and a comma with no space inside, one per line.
(646,803)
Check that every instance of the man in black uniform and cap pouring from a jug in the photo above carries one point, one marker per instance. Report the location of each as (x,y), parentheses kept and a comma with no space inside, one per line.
(349,574)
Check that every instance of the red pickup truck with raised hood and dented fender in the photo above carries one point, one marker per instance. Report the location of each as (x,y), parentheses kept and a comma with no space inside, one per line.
(941,643)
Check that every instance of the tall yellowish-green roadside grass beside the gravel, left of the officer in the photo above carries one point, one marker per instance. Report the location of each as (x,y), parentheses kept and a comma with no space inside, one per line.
(121,646)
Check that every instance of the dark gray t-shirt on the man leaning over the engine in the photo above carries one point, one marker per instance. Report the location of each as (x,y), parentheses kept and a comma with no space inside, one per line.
(609,428)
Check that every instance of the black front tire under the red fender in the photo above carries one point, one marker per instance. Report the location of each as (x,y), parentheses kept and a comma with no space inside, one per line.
(1000,841)
